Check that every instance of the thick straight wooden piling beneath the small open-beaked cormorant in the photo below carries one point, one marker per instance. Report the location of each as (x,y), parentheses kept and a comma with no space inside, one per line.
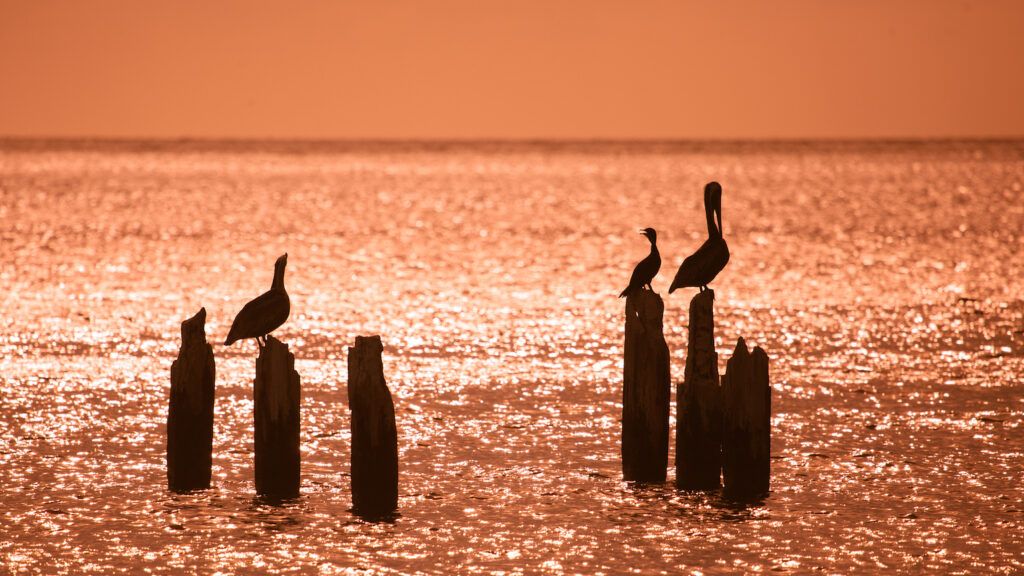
(647,390)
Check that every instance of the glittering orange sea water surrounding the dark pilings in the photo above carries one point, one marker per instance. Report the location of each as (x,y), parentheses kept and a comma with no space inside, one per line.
(886,282)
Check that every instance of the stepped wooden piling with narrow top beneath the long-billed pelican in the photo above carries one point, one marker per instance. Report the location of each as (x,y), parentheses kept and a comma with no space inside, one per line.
(699,403)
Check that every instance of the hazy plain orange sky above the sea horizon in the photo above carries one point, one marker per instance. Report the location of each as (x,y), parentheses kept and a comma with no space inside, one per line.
(526,69)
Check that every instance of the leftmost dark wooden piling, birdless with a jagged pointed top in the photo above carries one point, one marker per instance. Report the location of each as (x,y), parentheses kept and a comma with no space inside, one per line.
(190,417)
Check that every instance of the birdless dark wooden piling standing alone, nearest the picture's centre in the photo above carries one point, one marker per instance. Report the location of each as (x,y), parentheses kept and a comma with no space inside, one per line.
(375,437)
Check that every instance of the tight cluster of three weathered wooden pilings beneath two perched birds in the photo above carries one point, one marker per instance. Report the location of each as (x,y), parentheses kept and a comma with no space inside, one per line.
(723,425)
